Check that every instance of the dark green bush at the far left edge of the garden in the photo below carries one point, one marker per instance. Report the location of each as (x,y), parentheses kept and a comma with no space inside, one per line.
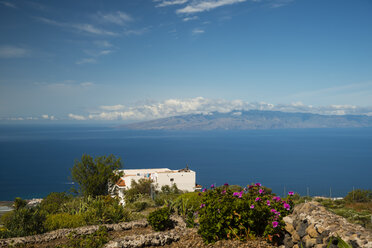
(23,220)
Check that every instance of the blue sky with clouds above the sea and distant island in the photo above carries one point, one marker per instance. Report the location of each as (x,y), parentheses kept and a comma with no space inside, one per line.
(142,59)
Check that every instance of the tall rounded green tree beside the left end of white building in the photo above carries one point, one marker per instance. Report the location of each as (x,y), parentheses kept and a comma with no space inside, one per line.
(94,175)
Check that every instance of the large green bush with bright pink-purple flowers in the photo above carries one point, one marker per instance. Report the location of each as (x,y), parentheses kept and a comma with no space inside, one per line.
(225,214)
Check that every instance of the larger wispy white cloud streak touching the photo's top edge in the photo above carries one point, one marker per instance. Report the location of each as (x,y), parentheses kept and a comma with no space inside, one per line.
(205,5)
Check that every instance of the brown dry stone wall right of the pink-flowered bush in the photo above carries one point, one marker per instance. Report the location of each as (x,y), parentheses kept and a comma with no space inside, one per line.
(312,225)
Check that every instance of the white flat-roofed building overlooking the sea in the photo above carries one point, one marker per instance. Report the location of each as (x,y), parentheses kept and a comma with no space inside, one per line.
(184,179)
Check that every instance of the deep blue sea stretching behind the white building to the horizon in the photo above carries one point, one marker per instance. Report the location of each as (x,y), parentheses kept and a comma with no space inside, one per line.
(36,160)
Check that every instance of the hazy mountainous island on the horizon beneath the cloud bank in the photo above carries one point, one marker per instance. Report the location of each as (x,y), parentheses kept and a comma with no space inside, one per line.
(253,119)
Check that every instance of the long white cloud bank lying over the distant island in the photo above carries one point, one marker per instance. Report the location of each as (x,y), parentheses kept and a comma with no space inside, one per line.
(200,105)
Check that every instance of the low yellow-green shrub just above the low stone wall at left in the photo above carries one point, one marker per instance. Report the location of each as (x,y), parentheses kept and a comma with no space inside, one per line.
(63,220)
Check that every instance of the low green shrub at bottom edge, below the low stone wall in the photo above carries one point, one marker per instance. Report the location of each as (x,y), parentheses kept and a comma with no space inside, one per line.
(95,240)
